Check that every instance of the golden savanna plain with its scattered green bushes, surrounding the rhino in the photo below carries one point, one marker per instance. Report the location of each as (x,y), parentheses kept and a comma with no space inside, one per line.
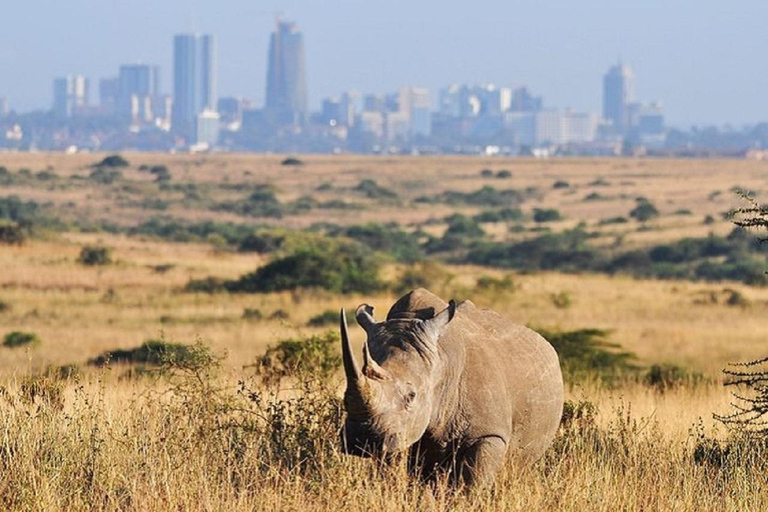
(169,324)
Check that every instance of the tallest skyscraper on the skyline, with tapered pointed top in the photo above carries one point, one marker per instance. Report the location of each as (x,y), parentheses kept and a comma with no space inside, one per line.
(286,76)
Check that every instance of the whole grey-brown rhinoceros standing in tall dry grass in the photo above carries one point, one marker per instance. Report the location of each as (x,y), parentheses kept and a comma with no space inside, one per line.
(458,388)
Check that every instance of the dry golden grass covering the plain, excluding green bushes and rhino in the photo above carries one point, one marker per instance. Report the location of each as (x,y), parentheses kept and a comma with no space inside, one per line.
(206,433)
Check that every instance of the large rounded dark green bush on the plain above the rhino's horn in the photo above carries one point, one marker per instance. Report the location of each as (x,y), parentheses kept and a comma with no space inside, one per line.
(335,266)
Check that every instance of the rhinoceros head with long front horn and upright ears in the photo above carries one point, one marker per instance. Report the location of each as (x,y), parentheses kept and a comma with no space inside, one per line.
(390,398)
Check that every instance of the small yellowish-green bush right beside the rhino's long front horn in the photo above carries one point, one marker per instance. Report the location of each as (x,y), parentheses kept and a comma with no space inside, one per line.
(317,356)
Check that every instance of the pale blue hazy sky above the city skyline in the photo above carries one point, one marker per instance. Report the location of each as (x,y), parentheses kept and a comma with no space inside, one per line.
(703,59)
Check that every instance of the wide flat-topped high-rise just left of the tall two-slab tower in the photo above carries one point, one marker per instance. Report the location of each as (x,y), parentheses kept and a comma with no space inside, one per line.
(138,89)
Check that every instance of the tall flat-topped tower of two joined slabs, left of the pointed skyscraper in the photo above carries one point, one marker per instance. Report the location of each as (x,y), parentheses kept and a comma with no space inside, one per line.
(194,80)
